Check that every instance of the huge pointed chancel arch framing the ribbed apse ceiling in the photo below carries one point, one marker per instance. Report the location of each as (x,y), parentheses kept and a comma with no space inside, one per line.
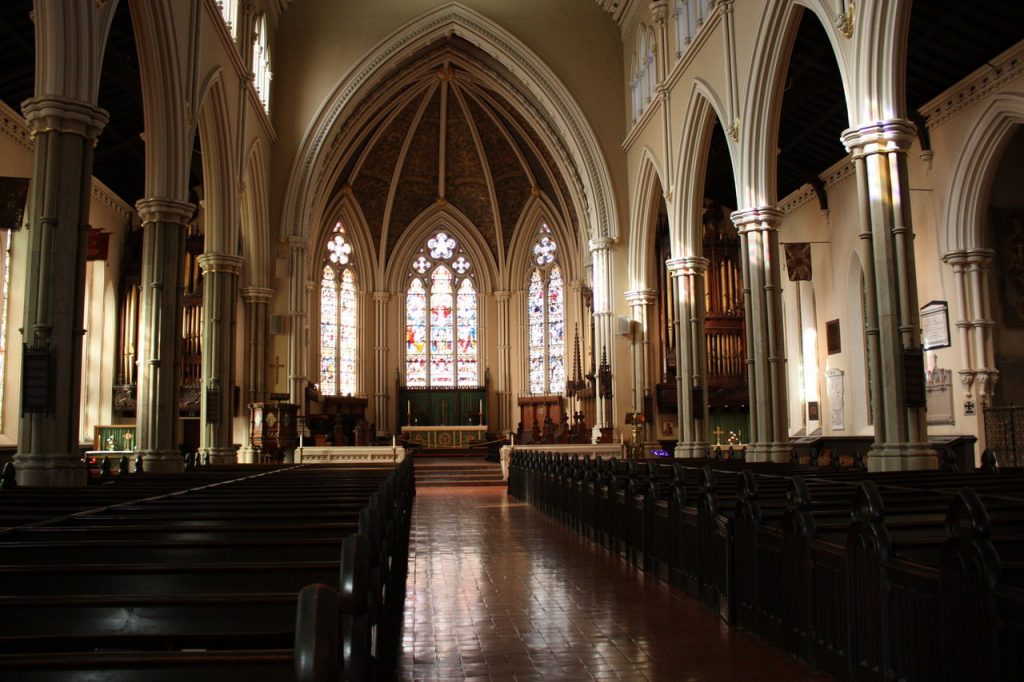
(557,117)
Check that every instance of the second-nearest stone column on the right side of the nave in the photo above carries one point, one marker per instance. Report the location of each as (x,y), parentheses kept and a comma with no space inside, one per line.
(761,265)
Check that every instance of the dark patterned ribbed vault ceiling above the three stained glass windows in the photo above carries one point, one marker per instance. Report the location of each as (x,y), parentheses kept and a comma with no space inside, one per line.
(444,133)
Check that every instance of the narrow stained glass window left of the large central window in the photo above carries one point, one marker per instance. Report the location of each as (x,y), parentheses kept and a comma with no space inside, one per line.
(339,319)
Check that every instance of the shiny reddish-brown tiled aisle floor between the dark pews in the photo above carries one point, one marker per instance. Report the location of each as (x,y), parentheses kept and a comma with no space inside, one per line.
(498,591)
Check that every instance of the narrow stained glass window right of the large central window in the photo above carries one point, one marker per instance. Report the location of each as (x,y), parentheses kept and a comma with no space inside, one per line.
(546,318)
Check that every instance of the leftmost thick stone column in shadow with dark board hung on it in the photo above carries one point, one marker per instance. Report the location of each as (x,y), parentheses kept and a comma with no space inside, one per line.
(65,133)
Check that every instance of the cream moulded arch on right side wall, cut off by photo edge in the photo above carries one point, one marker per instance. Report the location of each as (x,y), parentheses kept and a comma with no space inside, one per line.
(977,160)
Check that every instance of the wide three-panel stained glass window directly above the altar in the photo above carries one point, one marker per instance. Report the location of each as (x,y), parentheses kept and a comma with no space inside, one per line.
(442,347)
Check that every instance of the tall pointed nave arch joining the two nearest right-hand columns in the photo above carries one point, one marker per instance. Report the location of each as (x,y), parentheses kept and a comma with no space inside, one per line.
(762,104)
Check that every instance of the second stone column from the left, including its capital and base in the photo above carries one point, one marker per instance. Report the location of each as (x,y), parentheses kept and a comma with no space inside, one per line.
(164,224)
